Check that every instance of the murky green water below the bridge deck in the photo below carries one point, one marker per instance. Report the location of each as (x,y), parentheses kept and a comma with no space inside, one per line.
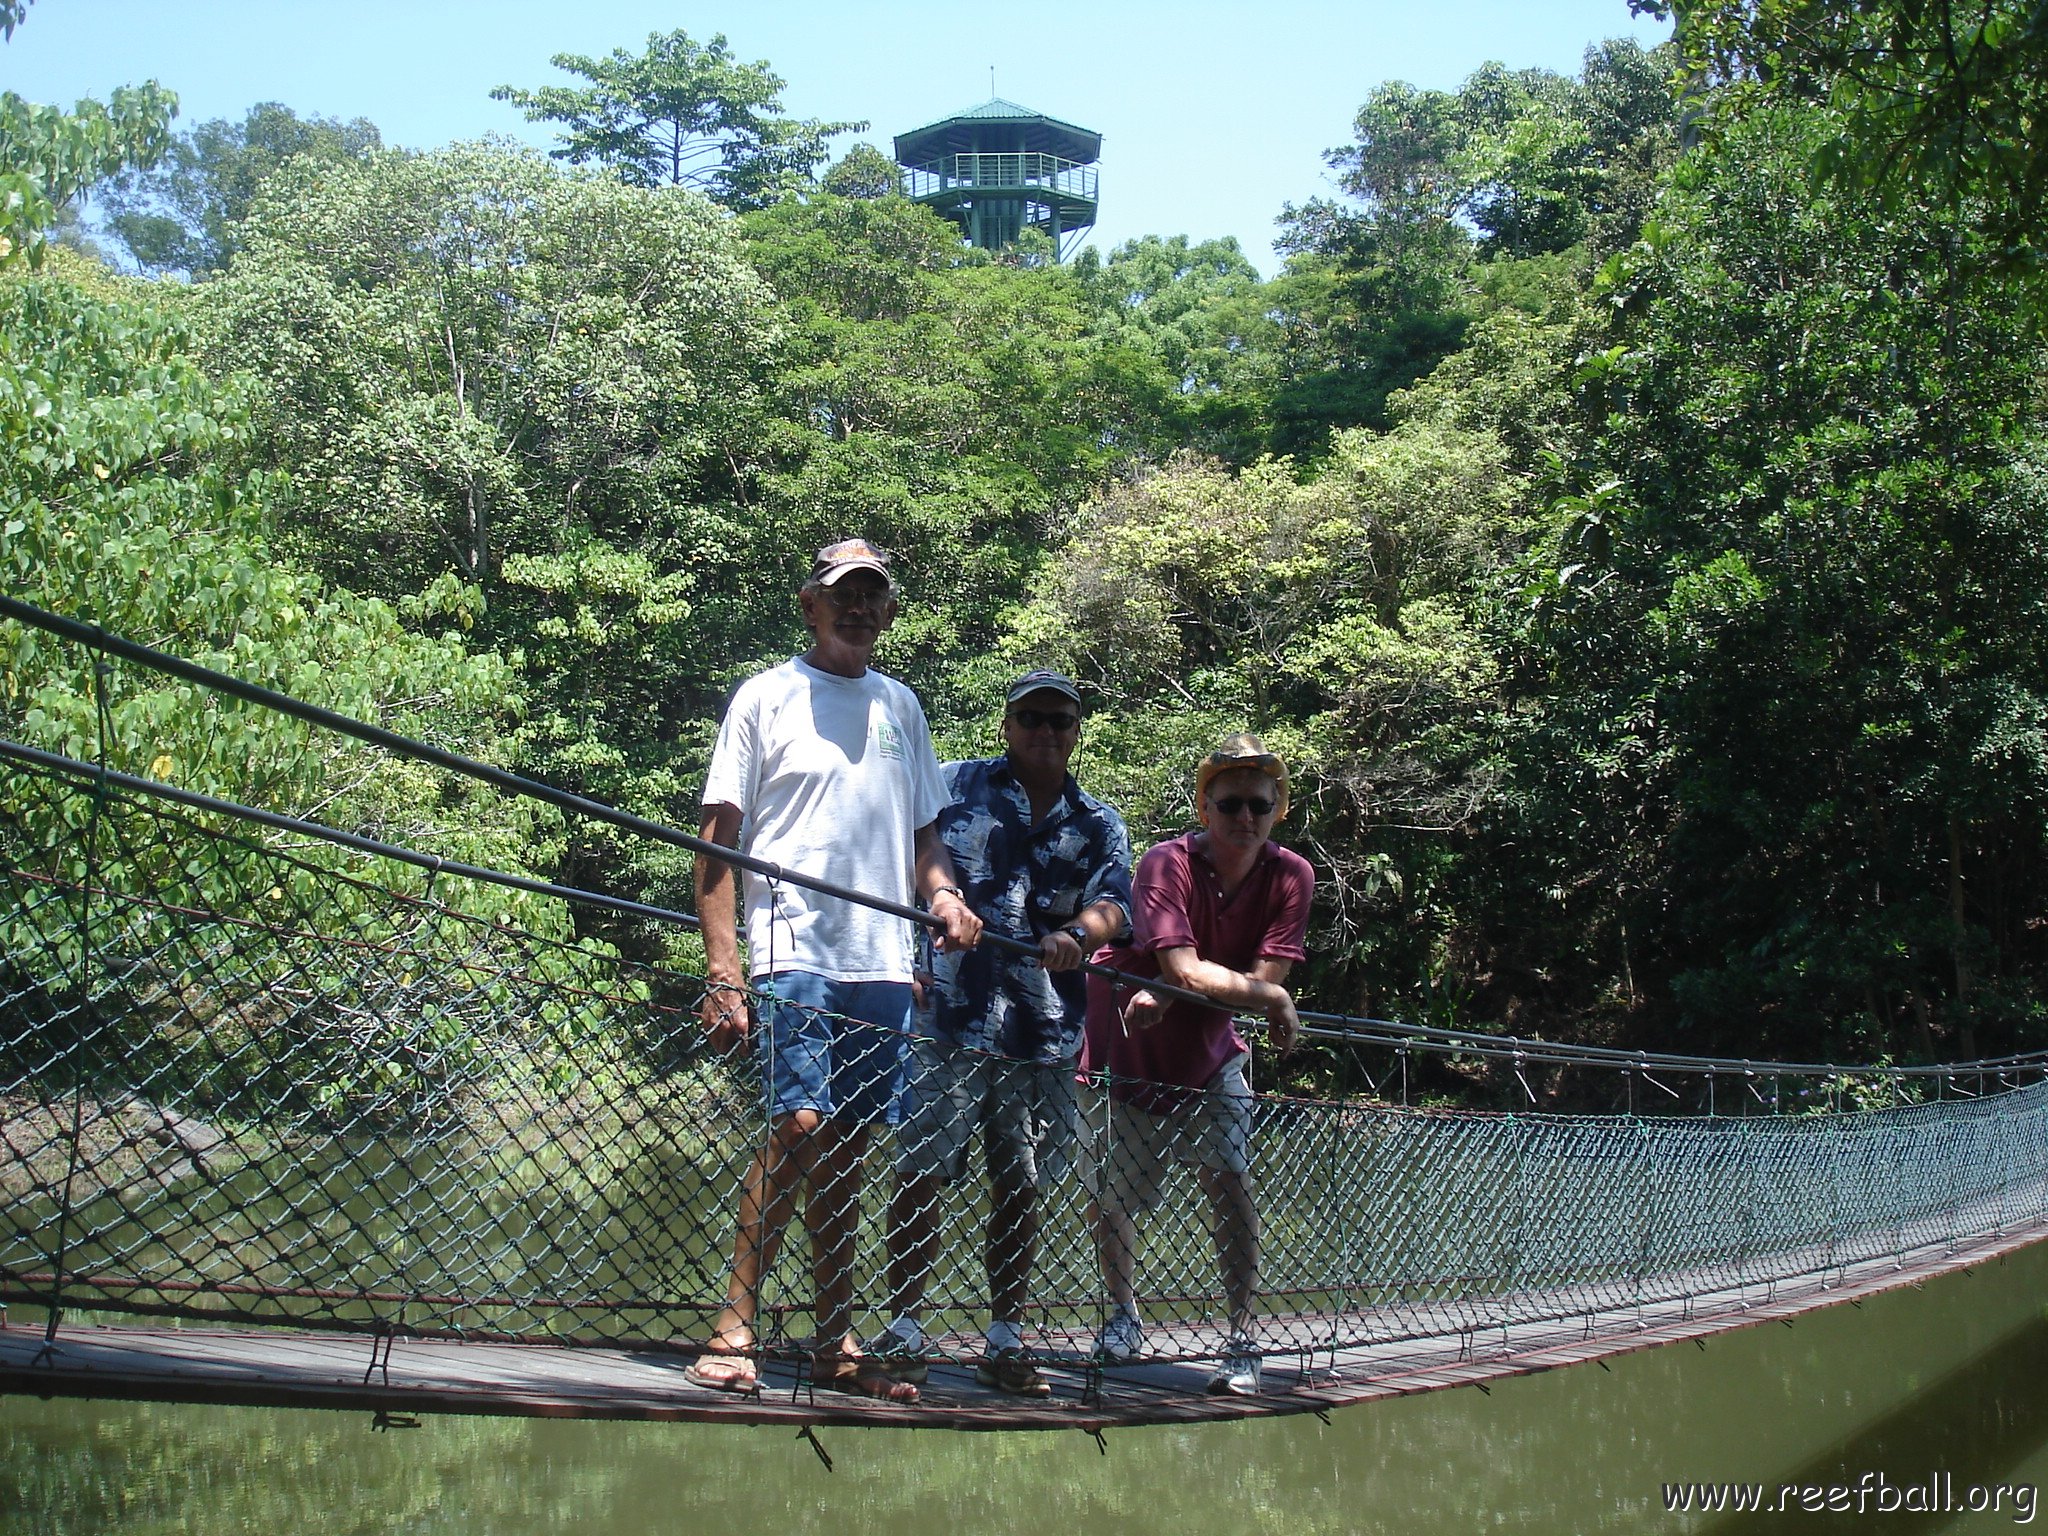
(1947,1379)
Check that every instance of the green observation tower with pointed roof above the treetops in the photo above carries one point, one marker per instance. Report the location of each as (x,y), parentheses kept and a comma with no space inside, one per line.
(1002,169)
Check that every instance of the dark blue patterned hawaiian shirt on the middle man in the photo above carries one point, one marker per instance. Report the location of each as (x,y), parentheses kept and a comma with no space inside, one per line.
(1027,882)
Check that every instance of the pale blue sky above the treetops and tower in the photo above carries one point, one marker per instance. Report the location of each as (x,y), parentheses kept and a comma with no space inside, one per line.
(1213,116)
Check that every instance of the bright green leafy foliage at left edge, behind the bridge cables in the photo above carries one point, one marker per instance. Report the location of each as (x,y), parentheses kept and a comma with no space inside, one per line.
(118,507)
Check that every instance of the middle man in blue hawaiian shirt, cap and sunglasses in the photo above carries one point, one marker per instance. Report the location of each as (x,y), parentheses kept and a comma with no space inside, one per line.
(1050,865)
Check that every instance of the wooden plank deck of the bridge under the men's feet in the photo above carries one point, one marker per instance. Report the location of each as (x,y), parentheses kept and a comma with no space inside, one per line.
(415,1377)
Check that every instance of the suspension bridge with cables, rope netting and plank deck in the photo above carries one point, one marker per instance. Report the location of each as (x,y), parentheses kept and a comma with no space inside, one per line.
(294,1115)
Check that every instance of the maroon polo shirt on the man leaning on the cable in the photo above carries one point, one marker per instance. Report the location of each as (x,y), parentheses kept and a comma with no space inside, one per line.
(1179,904)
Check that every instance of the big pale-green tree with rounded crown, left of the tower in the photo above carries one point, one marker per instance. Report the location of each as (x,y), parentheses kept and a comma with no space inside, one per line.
(513,396)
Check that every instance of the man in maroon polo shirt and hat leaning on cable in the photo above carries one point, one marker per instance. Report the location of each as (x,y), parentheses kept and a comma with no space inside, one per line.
(1222,912)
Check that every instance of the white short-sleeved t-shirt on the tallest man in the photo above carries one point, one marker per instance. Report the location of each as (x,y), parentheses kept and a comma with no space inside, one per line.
(833,777)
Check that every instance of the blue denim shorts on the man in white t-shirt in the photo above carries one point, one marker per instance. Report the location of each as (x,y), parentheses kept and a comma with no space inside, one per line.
(835,1048)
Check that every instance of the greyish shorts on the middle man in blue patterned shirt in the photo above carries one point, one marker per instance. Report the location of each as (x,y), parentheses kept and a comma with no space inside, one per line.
(1025,1109)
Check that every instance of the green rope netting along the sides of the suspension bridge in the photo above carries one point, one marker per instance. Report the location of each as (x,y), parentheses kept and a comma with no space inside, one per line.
(249,1076)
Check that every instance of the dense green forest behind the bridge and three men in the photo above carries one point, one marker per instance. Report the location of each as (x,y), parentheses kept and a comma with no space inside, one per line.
(1627,509)
